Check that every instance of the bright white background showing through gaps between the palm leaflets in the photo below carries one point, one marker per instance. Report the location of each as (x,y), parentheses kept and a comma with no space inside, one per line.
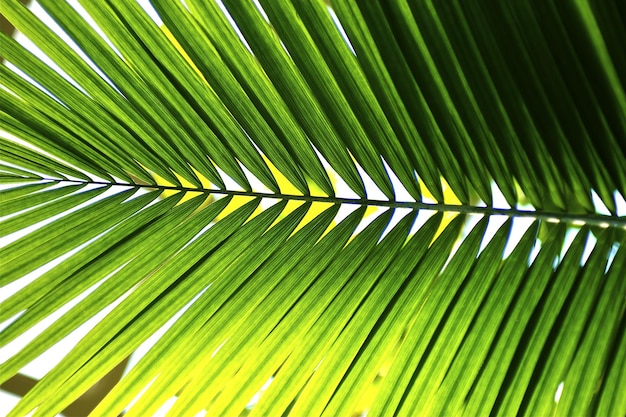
(43,364)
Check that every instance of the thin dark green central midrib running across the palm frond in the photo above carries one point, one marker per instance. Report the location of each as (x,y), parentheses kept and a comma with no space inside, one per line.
(576,219)
